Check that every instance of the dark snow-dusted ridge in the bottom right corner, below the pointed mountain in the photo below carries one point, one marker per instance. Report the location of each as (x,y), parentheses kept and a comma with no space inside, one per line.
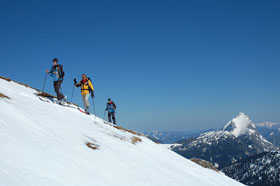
(259,170)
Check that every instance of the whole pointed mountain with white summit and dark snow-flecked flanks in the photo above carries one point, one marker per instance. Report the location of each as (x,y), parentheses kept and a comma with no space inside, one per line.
(237,140)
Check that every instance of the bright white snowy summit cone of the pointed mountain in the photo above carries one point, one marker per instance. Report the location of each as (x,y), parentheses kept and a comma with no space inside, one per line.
(239,125)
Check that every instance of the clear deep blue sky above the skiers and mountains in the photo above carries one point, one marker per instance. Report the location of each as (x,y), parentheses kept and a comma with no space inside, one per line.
(177,65)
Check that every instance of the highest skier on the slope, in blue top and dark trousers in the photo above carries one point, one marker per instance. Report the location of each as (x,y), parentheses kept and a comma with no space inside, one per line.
(58,74)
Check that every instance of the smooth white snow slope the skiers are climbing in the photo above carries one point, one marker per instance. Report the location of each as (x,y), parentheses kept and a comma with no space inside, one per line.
(43,144)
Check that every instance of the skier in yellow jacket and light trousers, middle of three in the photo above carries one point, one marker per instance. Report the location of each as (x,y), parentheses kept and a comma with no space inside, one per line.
(86,88)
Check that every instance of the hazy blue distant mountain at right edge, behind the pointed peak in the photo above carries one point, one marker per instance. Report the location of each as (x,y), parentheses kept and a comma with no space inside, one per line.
(271,132)
